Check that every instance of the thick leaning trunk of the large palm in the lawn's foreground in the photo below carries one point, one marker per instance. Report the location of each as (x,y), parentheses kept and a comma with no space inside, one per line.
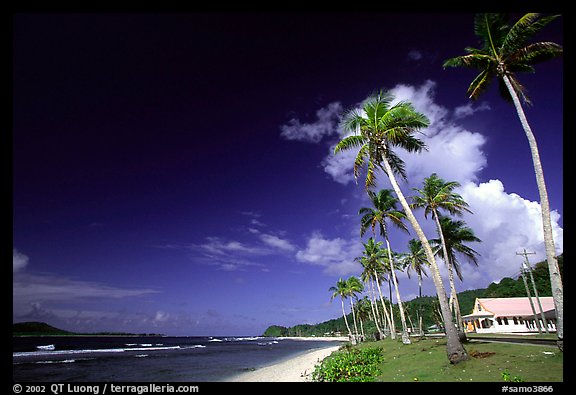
(454,348)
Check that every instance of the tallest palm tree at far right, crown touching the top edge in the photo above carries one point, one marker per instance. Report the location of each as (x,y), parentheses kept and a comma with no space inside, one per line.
(505,51)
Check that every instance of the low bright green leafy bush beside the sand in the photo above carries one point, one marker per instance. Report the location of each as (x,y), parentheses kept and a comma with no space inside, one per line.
(350,365)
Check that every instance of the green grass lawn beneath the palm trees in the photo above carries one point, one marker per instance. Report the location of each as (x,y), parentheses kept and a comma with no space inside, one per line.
(425,361)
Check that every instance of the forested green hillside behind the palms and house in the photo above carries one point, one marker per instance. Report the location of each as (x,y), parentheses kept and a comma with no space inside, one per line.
(428,307)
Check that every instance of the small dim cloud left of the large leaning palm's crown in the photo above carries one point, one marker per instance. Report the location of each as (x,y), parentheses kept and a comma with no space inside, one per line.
(325,125)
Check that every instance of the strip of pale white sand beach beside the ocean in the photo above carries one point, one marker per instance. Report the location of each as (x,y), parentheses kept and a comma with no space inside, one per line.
(299,368)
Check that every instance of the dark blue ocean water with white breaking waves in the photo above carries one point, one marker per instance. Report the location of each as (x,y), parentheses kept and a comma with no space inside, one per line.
(148,359)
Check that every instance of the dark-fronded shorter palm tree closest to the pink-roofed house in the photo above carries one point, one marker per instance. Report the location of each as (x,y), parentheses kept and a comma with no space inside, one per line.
(455,233)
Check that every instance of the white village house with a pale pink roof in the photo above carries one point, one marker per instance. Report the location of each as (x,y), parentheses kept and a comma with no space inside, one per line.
(510,315)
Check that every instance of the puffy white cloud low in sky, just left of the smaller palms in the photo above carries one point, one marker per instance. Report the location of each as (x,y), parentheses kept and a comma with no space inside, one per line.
(336,256)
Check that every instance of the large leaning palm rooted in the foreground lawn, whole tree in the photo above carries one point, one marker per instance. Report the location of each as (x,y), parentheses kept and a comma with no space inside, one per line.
(375,130)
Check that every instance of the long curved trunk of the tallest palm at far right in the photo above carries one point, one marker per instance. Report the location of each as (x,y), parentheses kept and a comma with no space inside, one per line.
(555,279)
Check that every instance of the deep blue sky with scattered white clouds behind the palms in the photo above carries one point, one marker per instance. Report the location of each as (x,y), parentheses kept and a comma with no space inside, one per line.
(172,172)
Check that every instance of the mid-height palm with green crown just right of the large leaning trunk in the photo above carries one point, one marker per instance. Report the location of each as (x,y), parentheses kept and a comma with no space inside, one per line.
(437,194)
